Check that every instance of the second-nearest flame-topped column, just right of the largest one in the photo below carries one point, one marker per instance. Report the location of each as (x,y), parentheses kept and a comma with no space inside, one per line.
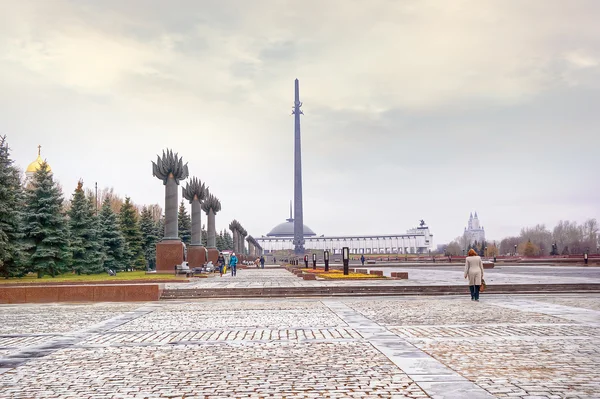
(195,193)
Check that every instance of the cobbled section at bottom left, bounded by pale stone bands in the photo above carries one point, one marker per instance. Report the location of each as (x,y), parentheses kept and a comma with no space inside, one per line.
(251,371)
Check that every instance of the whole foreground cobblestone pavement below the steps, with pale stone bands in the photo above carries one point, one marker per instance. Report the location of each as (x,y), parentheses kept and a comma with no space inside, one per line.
(524,347)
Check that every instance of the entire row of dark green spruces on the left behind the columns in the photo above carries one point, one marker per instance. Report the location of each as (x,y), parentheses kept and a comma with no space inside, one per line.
(42,233)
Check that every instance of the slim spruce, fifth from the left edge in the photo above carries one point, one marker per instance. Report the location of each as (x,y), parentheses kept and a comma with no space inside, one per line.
(130,228)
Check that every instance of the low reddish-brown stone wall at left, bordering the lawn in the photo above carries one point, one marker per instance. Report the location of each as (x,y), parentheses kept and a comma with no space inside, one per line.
(81,293)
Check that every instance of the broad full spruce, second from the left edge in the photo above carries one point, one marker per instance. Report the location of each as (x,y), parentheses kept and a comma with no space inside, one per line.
(45,226)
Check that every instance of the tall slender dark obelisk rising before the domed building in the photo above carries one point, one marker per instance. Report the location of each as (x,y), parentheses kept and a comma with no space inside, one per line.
(298,217)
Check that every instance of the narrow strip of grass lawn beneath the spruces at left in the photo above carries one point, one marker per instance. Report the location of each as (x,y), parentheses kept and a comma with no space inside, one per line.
(69,277)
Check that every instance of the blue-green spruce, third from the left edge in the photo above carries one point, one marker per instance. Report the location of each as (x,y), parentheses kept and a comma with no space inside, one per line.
(87,256)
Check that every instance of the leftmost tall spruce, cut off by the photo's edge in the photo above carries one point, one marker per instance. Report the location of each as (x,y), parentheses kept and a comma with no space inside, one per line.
(11,262)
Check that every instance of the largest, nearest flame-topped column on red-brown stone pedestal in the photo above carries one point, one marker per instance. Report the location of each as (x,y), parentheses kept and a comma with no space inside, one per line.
(171,170)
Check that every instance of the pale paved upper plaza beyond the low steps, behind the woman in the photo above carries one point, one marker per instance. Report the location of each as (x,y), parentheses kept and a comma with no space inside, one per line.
(445,275)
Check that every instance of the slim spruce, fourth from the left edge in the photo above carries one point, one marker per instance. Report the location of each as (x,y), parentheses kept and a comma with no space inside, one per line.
(113,243)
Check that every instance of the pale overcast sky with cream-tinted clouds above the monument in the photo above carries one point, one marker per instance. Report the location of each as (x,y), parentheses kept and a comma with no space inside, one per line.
(413,109)
